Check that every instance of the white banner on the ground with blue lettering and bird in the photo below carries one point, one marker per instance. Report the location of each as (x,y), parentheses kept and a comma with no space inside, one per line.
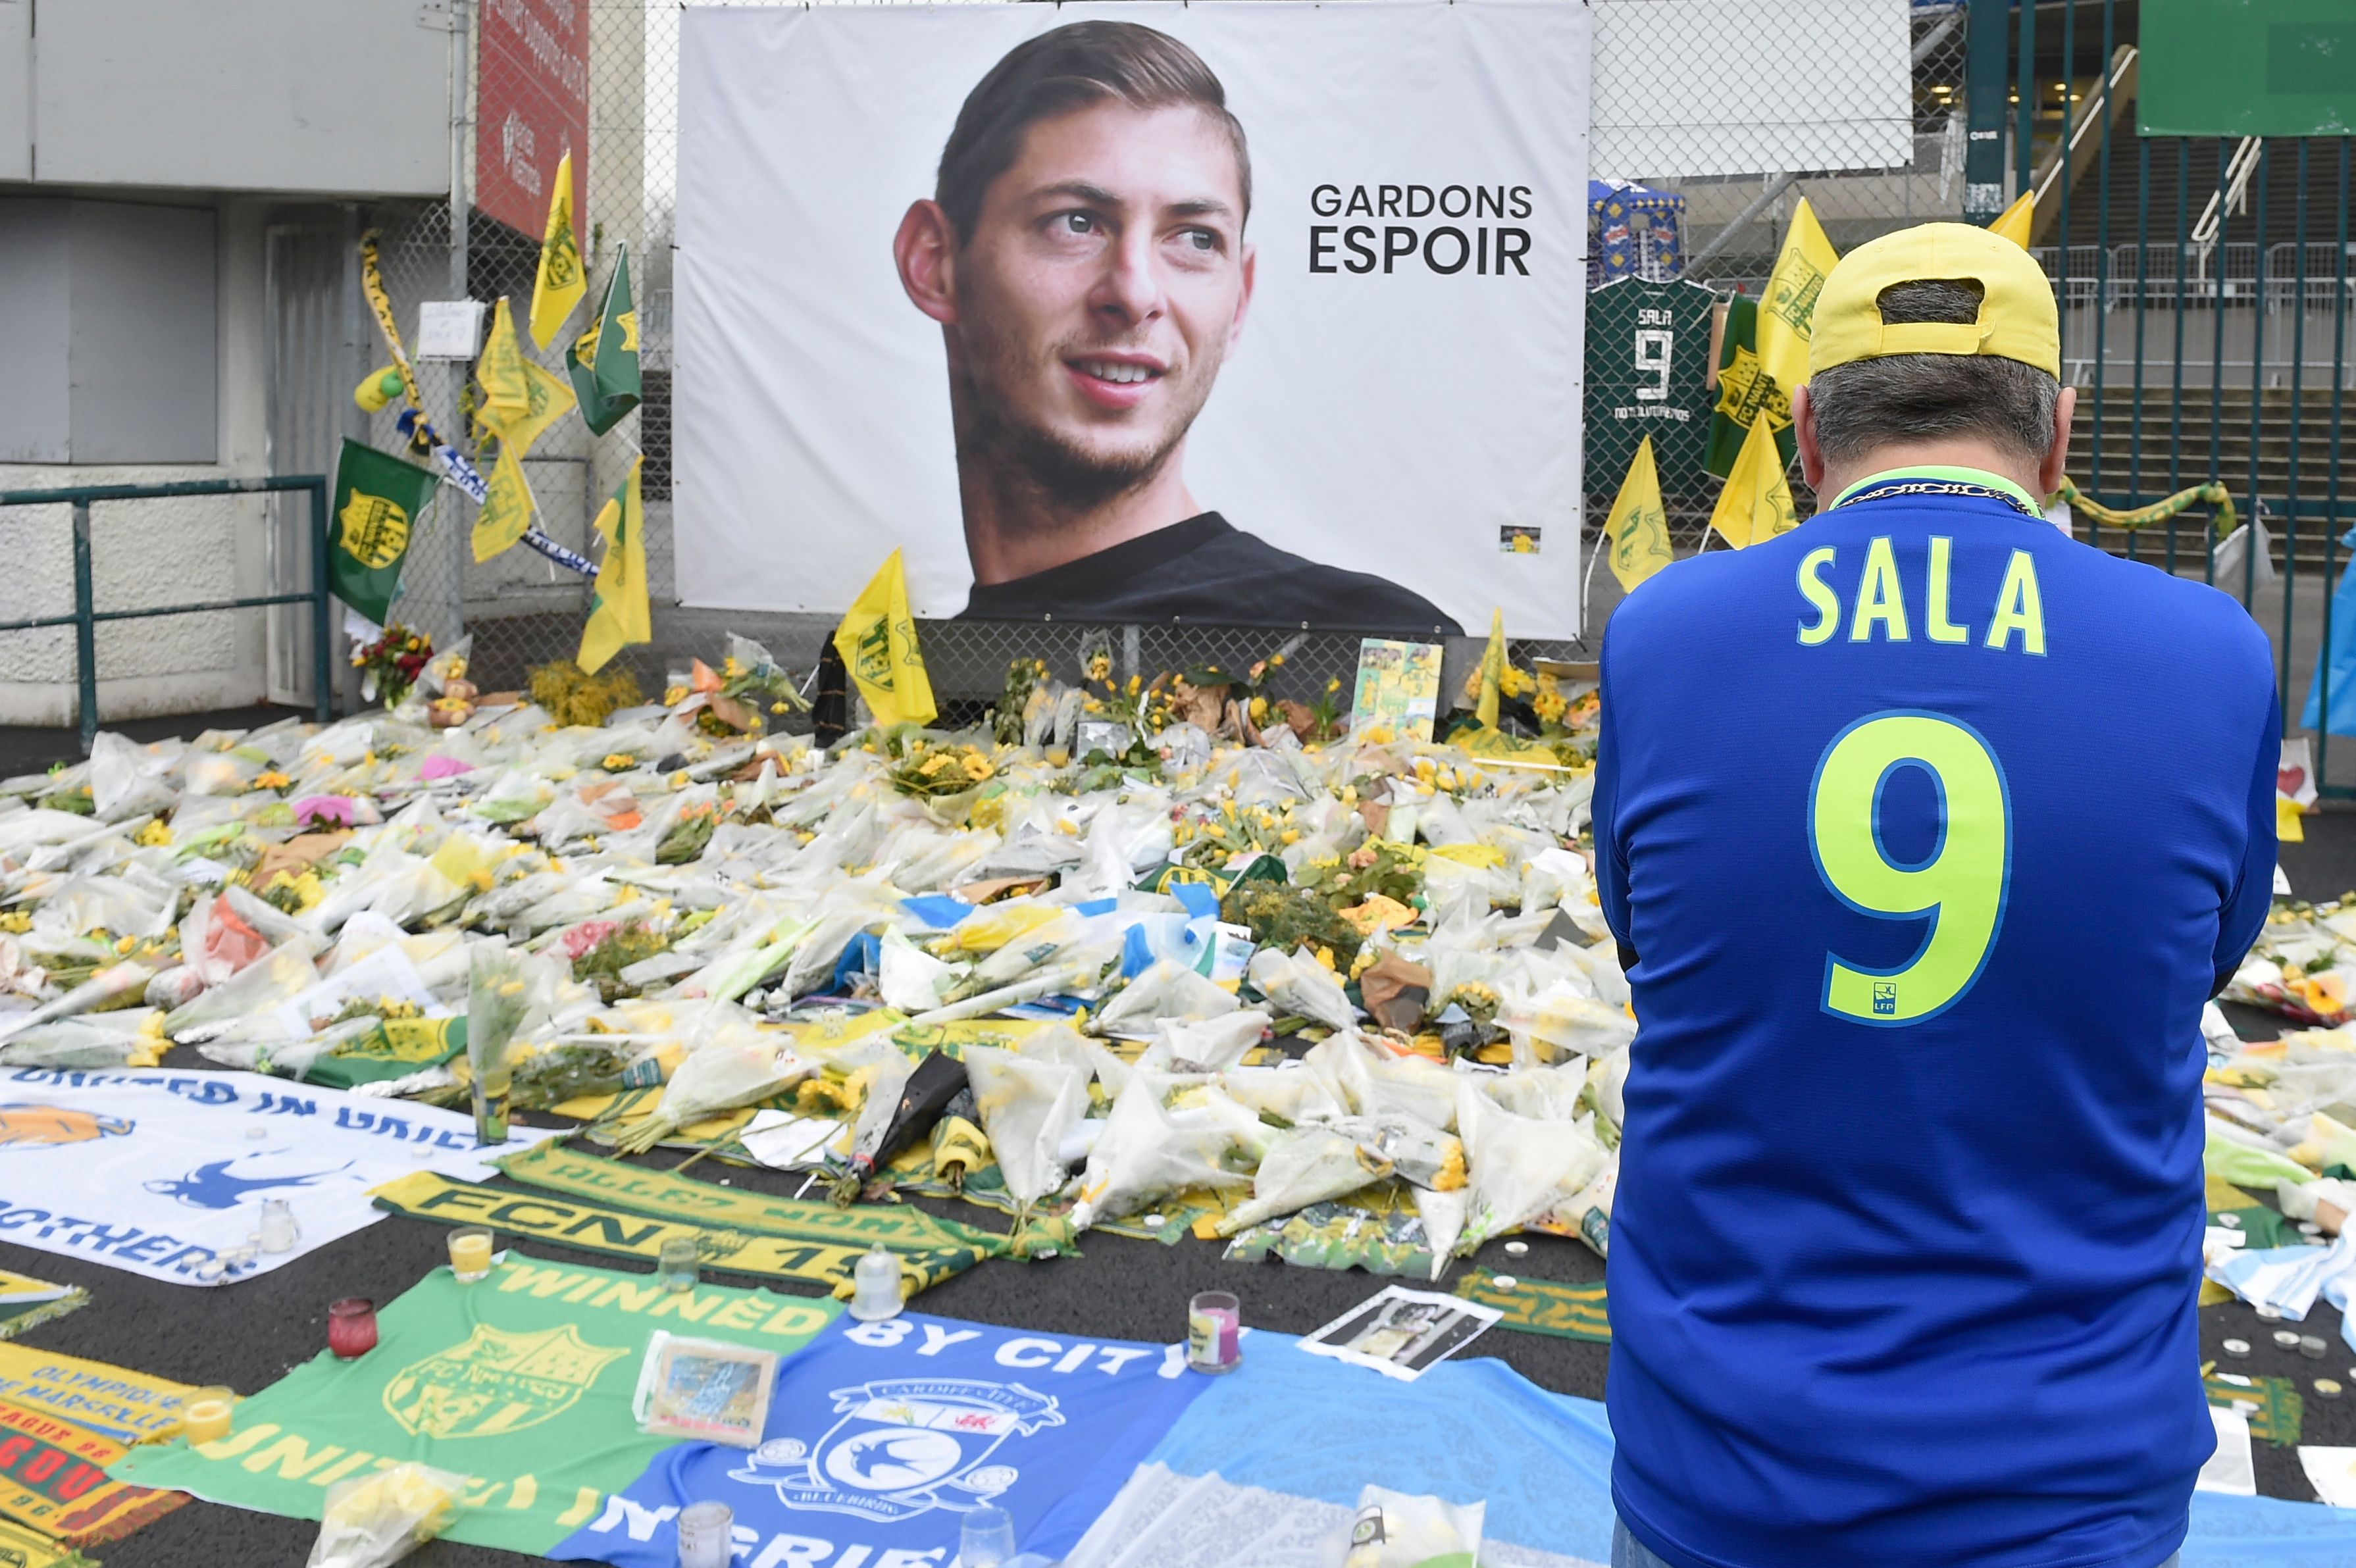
(166,1174)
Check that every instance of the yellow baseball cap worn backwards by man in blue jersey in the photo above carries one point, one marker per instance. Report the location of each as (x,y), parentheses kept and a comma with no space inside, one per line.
(2016,307)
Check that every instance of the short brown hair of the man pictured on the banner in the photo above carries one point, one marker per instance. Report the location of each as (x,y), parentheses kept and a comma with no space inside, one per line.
(1073,67)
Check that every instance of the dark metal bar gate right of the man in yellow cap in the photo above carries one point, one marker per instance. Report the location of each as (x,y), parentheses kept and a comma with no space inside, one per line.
(2204,293)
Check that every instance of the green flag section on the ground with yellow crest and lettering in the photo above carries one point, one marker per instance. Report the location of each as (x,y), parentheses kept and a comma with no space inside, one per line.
(519,1383)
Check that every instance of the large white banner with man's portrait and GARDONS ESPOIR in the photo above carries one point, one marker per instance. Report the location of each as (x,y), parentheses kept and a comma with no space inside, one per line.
(1354,333)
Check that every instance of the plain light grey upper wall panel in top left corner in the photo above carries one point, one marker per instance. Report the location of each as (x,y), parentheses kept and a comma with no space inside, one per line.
(331,98)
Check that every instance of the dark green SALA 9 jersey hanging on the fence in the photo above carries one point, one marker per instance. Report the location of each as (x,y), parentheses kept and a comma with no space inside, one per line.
(1648,376)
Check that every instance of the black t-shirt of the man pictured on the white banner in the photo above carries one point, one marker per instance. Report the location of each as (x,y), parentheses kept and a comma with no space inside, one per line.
(1210,573)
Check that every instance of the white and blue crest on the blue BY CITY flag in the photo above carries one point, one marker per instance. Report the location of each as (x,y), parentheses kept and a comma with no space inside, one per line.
(906,1447)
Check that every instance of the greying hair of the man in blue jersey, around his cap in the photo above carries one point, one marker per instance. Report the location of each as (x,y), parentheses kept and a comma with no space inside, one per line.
(1921,397)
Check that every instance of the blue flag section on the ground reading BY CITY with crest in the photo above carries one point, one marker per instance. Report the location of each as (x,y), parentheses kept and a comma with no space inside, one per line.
(882,1437)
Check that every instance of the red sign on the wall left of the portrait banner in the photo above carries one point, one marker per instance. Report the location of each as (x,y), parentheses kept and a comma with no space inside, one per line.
(531,109)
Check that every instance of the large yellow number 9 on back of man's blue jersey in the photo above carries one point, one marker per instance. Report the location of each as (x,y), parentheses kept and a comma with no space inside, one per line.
(1959,891)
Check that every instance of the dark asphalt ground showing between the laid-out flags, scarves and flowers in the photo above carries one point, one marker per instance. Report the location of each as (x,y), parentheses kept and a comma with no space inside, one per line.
(253,1334)
